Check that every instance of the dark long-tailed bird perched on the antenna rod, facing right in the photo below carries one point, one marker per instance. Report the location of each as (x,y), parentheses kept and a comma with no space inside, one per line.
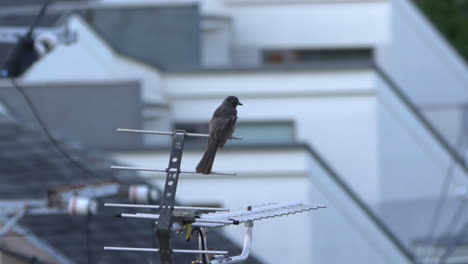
(221,128)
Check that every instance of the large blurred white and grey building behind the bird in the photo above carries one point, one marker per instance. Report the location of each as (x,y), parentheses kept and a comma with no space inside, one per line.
(353,104)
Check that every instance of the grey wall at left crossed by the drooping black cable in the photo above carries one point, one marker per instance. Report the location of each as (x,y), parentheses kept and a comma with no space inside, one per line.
(87,113)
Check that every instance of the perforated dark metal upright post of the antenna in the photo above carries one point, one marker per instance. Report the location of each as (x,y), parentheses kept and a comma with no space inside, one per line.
(167,202)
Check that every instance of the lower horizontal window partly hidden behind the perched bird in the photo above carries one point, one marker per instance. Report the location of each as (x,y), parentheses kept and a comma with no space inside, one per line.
(253,133)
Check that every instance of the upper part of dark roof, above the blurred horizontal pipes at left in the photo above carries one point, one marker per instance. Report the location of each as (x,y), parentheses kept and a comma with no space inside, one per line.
(30,166)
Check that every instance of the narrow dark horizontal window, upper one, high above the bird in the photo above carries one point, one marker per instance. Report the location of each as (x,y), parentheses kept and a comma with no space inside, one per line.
(307,56)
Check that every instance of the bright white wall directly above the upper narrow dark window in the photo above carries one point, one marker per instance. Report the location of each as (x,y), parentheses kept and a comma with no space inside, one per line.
(309,24)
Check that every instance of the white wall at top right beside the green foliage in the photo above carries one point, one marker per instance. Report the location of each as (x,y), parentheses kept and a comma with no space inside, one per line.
(422,61)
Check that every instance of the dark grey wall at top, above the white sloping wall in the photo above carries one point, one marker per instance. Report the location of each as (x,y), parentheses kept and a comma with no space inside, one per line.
(157,35)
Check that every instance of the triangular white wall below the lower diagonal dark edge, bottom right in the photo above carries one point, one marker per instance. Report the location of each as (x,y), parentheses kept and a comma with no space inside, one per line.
(342,233)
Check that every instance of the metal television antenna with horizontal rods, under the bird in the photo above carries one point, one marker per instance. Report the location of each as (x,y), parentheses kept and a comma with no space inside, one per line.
(172,218)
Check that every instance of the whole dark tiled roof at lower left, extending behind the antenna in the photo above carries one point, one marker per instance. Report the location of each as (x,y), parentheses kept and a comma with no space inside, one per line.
(29,167)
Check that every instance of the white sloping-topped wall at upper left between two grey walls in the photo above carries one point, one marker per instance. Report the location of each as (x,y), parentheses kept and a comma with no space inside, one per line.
(91,59)
